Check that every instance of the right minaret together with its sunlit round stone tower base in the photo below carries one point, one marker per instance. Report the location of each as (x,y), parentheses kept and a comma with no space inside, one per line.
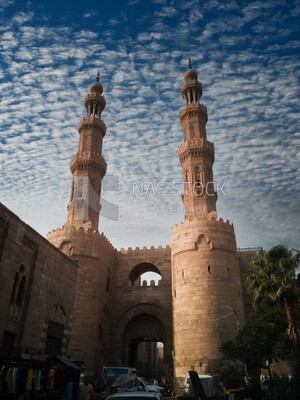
(206,288)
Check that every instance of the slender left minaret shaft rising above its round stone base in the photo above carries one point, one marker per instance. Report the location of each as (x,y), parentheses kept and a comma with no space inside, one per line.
(88,166)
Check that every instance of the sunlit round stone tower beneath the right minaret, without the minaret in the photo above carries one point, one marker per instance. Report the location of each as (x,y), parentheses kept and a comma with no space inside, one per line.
(206,284)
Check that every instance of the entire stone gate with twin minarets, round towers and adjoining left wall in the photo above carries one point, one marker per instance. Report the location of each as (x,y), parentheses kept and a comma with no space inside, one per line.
(76,295)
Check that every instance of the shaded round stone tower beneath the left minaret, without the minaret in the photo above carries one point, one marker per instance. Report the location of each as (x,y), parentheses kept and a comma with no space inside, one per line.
(96,259)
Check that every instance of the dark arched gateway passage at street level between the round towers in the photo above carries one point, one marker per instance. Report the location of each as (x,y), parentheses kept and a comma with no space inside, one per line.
(144,337)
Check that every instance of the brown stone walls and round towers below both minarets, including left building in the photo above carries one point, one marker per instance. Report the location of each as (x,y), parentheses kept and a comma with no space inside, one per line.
(96,293)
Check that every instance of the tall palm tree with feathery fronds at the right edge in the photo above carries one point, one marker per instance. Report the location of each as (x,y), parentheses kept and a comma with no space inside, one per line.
(274,281)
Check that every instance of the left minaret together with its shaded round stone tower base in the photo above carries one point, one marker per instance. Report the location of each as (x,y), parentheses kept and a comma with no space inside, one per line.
(80,239)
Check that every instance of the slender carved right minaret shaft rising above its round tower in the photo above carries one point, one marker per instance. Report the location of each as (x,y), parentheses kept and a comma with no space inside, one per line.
(196,154)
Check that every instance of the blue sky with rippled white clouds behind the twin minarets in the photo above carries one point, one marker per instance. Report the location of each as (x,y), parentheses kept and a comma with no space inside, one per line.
(246,53)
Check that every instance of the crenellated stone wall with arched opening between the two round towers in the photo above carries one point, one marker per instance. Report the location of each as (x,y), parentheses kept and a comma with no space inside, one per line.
(139,310)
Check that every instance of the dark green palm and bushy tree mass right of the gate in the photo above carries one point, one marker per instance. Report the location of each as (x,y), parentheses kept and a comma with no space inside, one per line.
(274,331)
